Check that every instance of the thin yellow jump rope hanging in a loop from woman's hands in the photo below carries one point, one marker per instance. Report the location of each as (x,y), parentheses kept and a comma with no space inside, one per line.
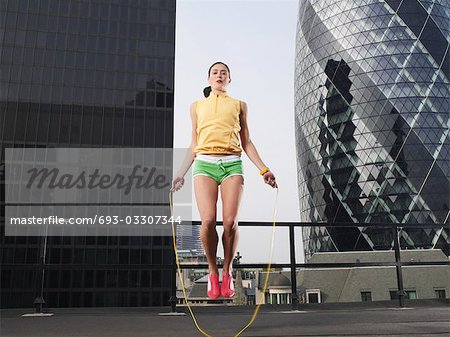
(256,311)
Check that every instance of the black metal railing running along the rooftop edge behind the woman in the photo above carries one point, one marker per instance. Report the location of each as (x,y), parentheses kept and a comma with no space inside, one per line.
(43,266)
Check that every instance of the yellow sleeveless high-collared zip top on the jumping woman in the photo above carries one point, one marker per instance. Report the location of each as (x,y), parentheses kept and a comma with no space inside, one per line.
(218,125)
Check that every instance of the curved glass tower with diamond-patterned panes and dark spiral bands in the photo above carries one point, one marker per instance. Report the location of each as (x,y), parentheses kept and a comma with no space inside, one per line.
(372,105)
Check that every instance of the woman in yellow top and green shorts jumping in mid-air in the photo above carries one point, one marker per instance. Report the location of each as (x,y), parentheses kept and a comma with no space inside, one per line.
(219,134)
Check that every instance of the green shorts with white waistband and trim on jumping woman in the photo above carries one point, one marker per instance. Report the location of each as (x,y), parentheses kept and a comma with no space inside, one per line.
(218,168)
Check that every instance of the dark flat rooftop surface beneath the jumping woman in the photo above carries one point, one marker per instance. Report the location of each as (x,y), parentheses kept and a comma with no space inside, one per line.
(384,319)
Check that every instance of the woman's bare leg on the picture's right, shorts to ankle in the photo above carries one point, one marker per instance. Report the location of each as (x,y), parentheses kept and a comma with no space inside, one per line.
(231,191)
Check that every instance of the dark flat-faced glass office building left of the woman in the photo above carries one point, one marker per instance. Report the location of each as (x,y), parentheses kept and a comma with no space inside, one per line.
(86,73)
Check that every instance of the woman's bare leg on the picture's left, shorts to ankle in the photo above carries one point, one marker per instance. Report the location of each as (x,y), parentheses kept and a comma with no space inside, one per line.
(206,191)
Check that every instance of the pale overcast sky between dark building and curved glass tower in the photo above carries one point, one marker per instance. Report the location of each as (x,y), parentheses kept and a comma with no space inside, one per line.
(257,41)
